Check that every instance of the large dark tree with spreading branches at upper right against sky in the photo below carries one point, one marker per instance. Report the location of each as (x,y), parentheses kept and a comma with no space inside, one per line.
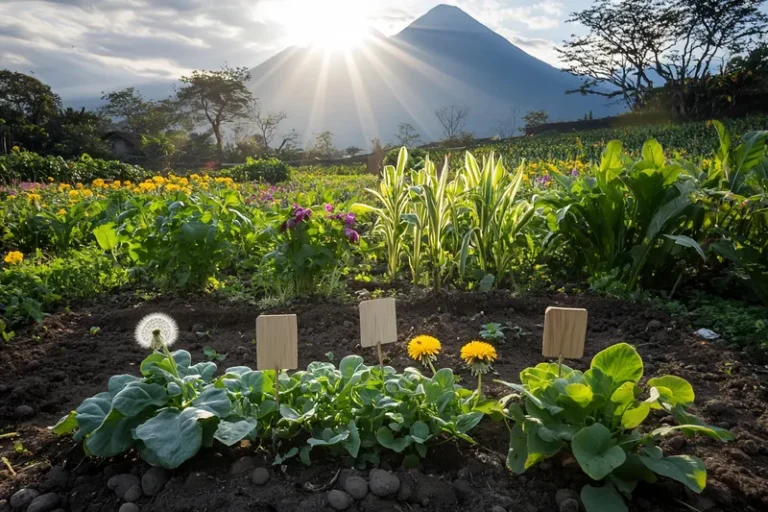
(678,39)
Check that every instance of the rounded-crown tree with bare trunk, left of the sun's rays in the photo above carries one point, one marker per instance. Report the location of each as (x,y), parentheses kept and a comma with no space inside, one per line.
(217,97)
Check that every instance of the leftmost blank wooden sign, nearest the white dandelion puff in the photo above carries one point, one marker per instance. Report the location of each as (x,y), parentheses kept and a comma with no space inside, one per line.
(277,344)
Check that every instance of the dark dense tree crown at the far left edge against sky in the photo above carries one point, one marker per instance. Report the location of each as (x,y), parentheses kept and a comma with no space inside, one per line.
(25,99)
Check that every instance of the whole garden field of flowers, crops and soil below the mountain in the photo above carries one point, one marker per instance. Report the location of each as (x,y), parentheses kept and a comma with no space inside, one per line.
(103,277)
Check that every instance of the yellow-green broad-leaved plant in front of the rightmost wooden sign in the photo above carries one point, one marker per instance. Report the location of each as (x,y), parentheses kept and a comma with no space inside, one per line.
(597,415)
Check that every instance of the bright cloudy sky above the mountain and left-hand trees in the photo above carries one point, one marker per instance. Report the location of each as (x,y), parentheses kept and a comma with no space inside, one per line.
(84,47)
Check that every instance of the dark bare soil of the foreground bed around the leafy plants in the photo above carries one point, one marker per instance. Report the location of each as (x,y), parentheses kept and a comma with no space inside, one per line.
(53,367)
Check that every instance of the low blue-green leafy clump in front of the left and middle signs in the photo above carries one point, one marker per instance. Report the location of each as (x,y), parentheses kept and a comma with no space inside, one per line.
(356,411)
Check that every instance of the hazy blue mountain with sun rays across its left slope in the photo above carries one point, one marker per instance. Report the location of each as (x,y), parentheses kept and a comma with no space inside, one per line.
(443,58)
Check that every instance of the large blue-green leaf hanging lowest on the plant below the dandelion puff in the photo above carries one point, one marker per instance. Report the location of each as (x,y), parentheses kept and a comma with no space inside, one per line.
(173,437)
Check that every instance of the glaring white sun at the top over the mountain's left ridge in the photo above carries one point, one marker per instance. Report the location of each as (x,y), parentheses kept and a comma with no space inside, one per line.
(329,24)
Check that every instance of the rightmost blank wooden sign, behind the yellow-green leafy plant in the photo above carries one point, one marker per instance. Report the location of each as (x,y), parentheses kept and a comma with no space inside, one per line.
(565,330)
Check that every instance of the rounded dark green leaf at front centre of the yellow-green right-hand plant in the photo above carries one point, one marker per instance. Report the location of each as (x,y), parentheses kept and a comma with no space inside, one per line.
(596,452)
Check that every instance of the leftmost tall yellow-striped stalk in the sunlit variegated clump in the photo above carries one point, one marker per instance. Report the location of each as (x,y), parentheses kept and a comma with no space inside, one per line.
(393,198)
